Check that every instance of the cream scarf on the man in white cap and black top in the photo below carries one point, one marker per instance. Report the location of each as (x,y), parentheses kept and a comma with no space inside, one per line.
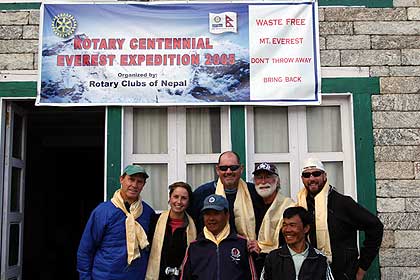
(321,216)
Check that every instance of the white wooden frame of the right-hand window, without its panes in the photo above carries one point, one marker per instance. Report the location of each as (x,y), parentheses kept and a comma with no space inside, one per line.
(298,148)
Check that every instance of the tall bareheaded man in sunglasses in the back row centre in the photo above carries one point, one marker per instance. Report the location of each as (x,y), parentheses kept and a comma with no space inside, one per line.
(240,195)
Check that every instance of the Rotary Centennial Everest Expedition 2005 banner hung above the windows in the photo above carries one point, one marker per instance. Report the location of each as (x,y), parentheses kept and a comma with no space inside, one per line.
(179,54)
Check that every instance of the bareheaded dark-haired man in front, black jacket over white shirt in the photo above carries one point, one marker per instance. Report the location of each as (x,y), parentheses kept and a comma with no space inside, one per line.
(297,259)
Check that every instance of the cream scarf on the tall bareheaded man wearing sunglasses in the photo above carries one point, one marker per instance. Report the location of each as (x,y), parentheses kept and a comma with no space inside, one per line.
(242,208)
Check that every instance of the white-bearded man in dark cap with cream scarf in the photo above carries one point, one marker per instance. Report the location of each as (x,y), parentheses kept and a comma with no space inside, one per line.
(269,215)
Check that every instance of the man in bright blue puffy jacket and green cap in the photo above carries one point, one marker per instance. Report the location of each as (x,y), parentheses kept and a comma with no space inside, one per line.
(114,243)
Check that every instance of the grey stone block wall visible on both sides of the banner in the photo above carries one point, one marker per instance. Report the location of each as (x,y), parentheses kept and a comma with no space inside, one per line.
(387,41)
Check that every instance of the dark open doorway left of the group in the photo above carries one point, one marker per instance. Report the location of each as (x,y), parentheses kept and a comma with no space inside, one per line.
(64,182)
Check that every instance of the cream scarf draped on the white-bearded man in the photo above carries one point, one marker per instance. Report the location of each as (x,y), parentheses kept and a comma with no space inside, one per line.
(268,236)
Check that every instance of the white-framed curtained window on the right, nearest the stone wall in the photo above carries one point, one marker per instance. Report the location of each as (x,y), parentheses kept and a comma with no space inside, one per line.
(287,135)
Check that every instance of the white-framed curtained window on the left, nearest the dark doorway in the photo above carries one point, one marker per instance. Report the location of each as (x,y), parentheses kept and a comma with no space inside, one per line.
(174,144)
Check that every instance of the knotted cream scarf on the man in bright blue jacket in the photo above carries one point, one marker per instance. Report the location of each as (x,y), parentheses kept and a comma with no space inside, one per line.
(134,232)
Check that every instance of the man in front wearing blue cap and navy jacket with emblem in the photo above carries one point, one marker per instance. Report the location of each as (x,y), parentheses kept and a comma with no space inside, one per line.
(218,253)
